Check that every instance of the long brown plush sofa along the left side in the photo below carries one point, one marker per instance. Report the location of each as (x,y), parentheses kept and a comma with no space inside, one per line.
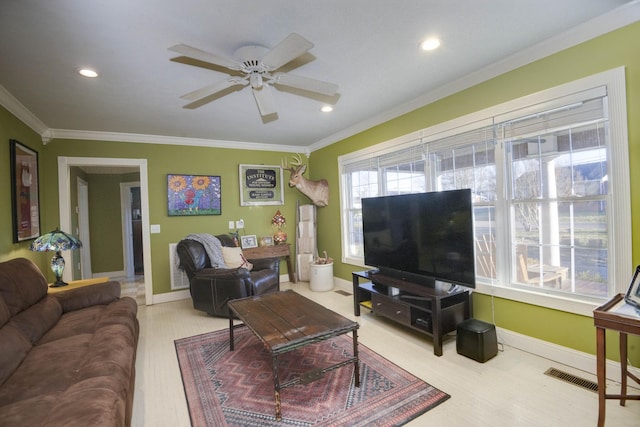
(66,359)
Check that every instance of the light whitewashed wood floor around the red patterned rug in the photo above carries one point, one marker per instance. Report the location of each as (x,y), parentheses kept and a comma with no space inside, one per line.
(508,390)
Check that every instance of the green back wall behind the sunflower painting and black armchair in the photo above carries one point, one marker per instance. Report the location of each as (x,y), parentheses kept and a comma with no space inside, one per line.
(163,160)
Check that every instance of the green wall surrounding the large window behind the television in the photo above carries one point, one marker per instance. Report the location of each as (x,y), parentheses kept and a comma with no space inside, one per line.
(612,50)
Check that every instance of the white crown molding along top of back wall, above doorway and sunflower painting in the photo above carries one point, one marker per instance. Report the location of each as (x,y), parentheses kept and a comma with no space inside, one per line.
(169,140)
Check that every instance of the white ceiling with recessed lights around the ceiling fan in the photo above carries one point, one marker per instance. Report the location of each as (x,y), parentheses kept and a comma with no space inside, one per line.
(368,47)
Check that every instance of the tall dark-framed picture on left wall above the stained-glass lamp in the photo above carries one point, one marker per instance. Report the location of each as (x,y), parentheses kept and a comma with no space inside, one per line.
(24,192)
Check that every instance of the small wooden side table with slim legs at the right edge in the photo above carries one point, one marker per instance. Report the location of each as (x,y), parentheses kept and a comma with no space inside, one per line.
(617,316)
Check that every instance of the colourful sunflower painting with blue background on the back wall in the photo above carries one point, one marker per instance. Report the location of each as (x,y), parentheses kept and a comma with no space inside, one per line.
(190,195)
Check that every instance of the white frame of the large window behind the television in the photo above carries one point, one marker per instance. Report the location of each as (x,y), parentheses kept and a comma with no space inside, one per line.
(619,215)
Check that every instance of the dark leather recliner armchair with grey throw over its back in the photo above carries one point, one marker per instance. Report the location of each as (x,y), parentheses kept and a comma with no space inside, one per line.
(211,288)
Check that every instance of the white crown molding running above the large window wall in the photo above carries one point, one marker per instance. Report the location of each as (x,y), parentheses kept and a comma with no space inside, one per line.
(620,17)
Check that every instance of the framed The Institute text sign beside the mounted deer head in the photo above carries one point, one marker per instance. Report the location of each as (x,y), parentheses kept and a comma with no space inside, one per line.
(261,185)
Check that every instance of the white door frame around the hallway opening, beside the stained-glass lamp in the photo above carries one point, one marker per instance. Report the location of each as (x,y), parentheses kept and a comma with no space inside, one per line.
(64,194)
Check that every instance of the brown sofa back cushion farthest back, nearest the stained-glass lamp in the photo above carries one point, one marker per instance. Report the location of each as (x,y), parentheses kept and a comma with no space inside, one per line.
(21,284)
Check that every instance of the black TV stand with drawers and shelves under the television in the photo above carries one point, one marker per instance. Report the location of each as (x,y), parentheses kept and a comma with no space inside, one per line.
(427,309)
